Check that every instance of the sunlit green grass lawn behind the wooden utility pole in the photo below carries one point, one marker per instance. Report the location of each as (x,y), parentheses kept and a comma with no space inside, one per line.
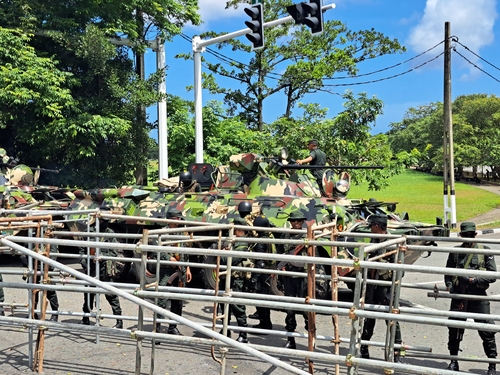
(421,195)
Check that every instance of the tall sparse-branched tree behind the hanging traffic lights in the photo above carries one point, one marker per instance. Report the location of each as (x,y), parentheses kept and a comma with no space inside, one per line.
(306,61)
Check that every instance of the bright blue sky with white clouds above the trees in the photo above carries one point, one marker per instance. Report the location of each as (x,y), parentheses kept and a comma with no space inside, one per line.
(416,24)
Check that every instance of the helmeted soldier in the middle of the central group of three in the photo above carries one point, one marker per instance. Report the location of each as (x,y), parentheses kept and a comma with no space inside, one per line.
(261,280)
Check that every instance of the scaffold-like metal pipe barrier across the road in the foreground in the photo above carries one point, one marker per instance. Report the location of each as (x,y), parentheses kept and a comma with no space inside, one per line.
(69,280)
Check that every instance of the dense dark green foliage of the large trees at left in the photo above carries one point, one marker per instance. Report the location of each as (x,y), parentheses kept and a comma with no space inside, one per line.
(75,101)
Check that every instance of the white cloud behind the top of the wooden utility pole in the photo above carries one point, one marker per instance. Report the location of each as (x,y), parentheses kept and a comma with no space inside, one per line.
(471,21)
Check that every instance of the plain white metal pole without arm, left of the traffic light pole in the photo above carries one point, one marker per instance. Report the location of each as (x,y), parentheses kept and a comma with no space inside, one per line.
(162,112)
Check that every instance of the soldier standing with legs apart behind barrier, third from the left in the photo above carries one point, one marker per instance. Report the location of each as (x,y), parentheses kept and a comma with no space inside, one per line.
(107,272)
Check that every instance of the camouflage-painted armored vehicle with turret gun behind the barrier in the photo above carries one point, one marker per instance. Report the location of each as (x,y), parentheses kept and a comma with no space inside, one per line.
(273,187)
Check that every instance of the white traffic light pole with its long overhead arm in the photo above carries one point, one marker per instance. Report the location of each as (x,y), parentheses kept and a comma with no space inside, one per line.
(199,47)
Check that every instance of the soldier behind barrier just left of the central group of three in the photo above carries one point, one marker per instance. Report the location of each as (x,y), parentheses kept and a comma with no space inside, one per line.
(167,271)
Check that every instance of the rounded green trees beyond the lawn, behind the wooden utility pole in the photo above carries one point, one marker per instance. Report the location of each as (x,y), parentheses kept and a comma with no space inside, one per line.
(476,120)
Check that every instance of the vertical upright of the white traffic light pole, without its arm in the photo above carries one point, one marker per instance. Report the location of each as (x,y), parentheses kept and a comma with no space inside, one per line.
(198,108)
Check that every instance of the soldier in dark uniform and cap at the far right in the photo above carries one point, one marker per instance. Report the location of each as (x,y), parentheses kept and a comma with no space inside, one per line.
(473,286)
